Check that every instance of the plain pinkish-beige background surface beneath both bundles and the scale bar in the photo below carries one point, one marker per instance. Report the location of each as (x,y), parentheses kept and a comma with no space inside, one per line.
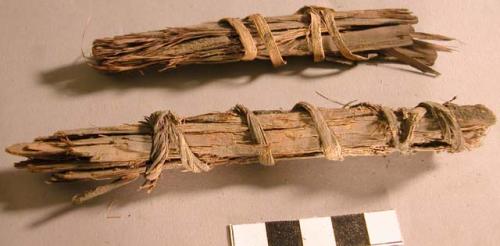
(441,199)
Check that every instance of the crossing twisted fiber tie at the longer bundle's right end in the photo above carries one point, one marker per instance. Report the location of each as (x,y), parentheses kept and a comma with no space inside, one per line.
(402,134)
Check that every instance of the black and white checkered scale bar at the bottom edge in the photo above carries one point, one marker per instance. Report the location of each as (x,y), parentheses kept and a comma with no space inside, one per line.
(375,228)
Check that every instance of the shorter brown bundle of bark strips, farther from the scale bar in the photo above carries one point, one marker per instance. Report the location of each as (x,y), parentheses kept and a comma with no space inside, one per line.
(380,35)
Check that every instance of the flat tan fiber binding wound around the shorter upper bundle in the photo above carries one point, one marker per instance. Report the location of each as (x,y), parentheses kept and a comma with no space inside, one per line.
(317,15)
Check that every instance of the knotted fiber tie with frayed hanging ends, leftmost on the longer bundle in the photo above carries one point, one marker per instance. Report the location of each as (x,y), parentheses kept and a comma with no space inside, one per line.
(167,135)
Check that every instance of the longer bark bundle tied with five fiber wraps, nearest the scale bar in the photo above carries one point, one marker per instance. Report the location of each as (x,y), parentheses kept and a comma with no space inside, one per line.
(241,136)
